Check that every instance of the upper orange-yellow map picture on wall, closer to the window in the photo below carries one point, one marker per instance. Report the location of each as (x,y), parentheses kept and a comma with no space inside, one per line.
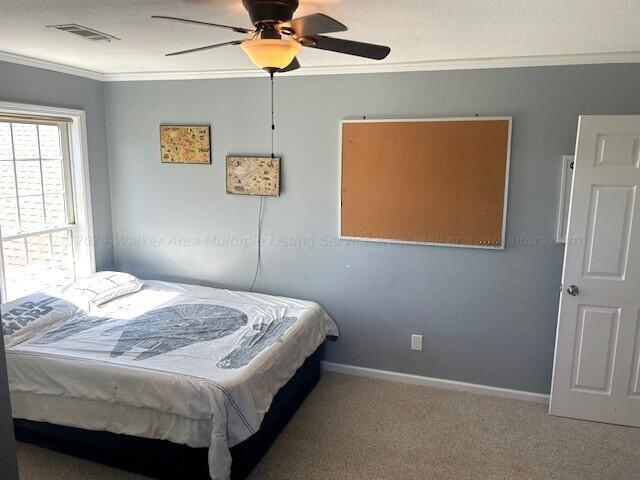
(185,144)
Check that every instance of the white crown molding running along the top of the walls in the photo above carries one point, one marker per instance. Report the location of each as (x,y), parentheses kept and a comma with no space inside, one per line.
(437,65)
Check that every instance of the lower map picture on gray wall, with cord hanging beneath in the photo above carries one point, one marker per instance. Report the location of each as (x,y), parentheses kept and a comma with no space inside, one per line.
(253,176)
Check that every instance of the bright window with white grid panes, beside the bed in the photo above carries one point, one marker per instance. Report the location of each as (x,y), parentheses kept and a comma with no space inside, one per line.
(43,240)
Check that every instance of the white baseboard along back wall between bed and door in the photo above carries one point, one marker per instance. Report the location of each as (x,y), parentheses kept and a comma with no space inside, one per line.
(435,382)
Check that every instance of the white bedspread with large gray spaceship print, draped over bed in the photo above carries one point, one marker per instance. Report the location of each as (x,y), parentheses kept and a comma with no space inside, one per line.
(190,364)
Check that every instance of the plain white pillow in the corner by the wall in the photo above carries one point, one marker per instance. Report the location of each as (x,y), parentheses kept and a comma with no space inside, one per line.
(101,288)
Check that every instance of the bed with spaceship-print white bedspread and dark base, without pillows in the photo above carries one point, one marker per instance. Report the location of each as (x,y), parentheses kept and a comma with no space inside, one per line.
(167,374)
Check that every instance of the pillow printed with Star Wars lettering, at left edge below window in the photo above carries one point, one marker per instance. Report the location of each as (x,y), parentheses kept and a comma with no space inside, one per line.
(26,316)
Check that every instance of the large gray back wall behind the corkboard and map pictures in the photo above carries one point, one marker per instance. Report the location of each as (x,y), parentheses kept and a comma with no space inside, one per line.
(488,317)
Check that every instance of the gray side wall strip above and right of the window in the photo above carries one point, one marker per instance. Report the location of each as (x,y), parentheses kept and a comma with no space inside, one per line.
(42,87)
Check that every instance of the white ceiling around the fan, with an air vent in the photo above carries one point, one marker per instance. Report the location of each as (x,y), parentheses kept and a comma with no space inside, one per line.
(419,32)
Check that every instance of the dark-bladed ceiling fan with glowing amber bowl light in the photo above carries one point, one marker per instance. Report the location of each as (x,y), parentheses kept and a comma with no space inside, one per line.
(277,38)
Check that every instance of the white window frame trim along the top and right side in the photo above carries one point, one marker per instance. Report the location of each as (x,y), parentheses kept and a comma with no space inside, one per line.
(83,239)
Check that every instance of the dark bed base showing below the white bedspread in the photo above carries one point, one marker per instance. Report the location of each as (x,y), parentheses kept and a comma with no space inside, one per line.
(169,461)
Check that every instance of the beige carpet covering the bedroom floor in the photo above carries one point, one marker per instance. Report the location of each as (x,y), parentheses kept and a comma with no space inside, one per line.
(358,429)
